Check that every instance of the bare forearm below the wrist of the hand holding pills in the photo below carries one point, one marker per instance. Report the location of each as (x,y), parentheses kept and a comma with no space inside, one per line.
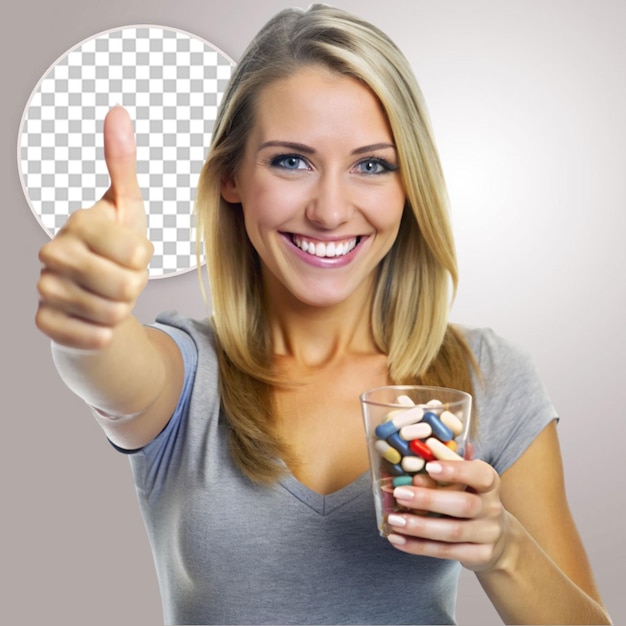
(527,587)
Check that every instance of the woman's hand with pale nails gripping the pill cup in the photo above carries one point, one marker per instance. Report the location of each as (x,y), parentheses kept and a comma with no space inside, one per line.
(471,522)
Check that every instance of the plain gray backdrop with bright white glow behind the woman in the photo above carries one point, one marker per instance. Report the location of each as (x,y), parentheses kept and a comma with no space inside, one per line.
(527,99)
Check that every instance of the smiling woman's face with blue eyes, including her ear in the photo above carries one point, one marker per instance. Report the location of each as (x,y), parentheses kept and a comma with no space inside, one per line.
(319,186)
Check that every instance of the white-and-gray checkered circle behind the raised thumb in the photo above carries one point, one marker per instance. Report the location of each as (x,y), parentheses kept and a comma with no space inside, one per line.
(171,83)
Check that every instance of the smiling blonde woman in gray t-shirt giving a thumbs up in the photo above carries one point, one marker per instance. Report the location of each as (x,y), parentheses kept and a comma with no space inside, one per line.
(330,258)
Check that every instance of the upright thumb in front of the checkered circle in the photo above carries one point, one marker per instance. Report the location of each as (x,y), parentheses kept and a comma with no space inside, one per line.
(120,154)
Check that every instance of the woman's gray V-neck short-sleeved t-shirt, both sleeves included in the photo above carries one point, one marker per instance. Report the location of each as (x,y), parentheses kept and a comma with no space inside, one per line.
(228,551)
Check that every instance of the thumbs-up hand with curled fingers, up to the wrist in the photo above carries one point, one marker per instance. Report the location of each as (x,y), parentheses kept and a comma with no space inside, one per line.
(96,266)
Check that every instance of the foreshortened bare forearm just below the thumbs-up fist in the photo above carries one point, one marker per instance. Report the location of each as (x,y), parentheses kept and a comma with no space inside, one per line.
(120,380)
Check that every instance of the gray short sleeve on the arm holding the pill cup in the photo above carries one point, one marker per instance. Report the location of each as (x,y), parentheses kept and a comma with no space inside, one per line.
(512,403)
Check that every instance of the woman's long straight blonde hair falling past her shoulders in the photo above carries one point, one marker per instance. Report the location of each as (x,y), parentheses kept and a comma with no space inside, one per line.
(416,280)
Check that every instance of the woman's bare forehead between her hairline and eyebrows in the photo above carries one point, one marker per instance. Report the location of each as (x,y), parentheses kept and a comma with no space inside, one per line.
(315,100)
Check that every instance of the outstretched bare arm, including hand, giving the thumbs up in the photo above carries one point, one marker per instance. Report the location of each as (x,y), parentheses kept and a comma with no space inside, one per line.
(93,272)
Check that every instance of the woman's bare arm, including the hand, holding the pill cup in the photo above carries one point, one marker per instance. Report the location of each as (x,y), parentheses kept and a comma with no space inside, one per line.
(516,532)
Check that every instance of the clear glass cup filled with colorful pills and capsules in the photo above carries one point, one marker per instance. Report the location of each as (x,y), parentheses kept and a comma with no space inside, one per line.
(400,436)
